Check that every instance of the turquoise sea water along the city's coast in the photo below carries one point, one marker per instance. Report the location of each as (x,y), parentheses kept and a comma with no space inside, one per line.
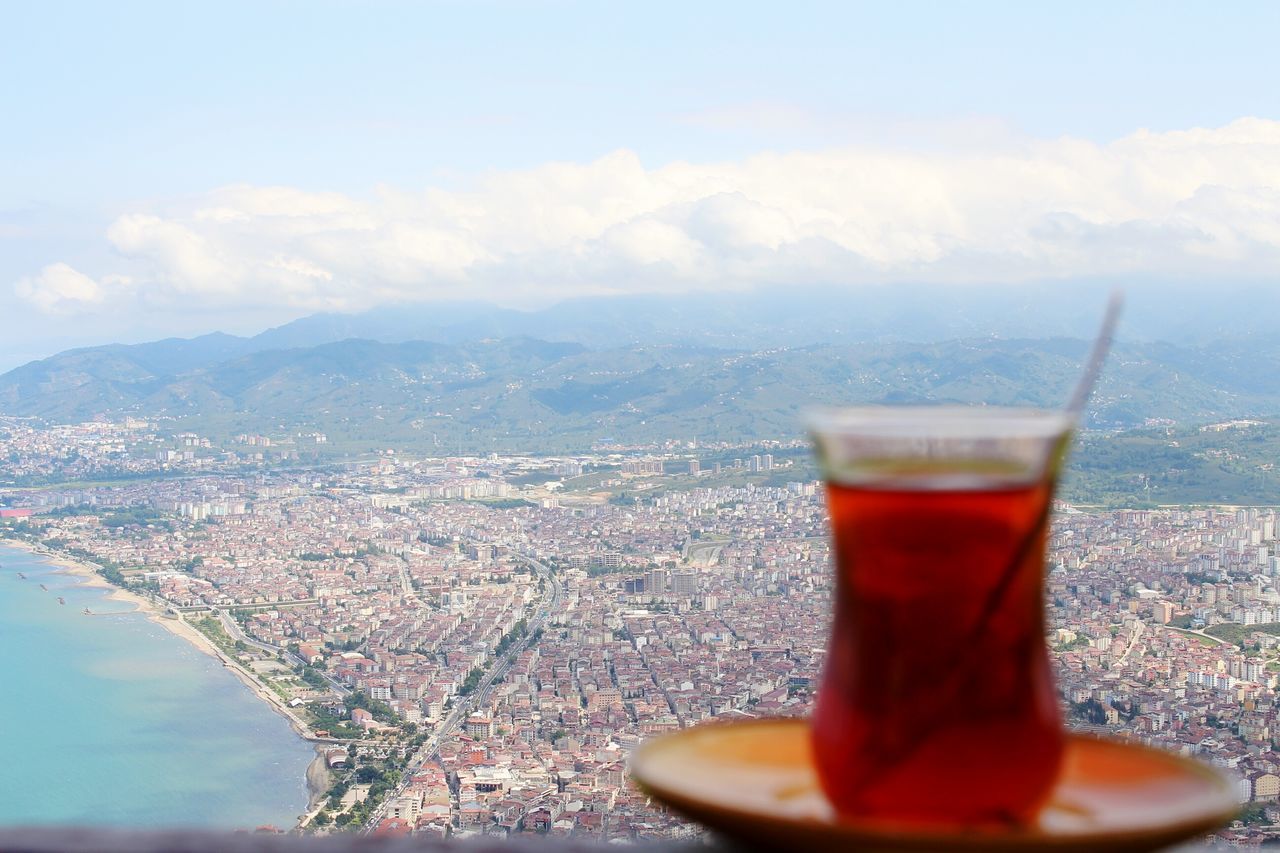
(113,720)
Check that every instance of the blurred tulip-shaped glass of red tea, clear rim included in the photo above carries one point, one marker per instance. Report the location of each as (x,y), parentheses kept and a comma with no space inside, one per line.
(938,703)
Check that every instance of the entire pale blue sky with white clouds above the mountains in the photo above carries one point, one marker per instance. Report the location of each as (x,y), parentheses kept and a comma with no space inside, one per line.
(181,168)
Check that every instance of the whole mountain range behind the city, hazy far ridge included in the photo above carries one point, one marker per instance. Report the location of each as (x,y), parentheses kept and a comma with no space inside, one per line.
(723,367)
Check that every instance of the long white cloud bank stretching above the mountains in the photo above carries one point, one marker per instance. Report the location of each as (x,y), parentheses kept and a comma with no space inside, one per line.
(1199,203)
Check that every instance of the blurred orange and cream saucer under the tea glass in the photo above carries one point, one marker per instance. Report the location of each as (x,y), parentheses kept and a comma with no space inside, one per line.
(755,782)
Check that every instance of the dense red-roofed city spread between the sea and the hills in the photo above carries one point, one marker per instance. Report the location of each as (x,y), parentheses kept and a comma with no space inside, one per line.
(476,644)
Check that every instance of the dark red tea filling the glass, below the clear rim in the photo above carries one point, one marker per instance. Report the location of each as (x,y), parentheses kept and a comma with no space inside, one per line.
(938,703)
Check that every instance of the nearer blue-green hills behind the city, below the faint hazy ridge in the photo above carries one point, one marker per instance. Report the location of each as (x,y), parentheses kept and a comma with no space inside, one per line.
(520,393)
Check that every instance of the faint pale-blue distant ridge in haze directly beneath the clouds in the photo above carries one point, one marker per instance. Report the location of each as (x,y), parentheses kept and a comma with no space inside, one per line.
(788,318)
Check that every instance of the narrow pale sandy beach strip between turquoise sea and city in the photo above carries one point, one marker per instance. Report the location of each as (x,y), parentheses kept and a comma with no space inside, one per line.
(318,772)
